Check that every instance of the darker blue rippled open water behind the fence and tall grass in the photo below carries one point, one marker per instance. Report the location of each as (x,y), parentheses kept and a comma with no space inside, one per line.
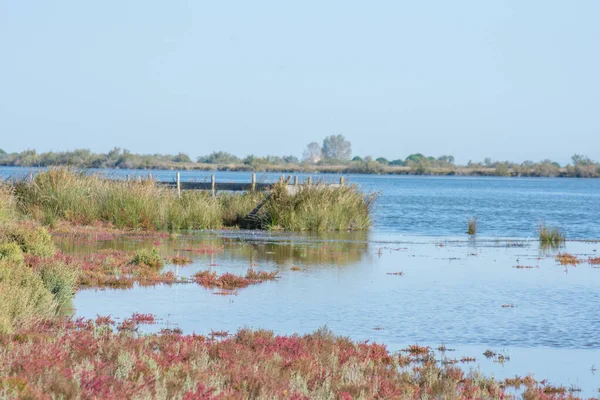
(440,206)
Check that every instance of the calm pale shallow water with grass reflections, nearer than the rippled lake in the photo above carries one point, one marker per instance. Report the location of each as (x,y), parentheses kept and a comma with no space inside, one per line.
(452,291)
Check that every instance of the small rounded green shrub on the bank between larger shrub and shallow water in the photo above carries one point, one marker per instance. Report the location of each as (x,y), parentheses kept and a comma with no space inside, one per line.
(60,279)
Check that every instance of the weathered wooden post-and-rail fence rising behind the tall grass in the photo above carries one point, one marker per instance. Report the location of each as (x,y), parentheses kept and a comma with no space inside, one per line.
(292,181)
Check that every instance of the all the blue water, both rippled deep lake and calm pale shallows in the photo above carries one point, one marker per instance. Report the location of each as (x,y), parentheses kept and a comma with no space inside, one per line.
(452,290)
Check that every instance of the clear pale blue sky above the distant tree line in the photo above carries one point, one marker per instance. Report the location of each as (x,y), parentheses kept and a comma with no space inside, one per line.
(511,80)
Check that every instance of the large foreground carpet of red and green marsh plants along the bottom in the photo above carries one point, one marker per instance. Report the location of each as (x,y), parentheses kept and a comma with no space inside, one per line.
(89,359)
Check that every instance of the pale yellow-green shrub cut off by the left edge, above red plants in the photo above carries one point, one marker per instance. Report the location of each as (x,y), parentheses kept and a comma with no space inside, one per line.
(24,300)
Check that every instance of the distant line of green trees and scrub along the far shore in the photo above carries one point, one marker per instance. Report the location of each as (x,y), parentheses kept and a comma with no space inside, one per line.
(334,154)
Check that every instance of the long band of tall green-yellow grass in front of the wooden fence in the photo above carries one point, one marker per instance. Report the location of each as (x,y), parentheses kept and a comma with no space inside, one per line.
(62,194)
